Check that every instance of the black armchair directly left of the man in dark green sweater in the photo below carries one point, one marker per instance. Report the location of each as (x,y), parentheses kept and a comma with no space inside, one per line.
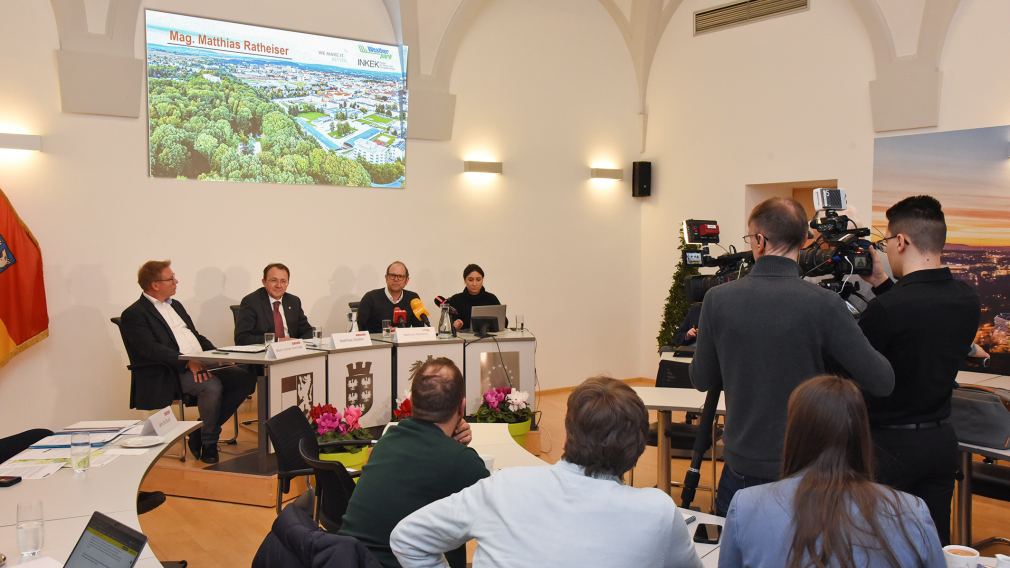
(334,484)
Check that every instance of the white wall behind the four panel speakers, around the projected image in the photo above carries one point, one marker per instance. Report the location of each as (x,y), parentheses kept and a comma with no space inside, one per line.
(548,96)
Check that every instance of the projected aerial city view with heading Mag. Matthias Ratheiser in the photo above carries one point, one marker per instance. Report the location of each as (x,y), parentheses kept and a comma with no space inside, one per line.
(230,102)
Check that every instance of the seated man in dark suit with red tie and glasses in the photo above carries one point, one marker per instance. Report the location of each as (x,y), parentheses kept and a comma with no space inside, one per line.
(272,311)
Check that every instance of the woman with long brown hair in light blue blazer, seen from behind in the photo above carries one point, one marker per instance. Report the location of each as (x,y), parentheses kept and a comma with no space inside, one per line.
(827,512)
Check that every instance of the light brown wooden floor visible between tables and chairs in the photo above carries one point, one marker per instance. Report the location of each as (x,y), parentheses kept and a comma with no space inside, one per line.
(212,534)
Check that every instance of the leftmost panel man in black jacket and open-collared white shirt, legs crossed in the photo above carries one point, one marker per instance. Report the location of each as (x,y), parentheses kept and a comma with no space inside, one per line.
(157,331)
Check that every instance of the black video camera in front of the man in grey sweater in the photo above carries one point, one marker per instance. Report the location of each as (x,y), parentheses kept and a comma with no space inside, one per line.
(732,265)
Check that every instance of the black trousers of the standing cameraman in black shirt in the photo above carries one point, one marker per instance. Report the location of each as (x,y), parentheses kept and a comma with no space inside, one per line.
(924,463)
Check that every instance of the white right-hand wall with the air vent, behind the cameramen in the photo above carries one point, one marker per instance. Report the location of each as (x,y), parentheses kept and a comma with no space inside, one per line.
(781,101)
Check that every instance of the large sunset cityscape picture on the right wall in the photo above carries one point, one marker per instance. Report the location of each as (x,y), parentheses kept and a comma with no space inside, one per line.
(969,172)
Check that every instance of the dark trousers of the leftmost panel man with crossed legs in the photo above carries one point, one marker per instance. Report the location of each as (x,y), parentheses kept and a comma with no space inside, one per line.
(219,398)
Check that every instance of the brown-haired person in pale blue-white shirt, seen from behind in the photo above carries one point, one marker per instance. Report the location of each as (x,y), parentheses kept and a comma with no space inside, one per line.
(576,513)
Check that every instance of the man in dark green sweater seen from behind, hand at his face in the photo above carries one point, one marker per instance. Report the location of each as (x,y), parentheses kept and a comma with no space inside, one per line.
(420,461)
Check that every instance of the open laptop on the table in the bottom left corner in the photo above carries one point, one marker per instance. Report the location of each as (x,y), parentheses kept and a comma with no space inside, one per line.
(107,543)
